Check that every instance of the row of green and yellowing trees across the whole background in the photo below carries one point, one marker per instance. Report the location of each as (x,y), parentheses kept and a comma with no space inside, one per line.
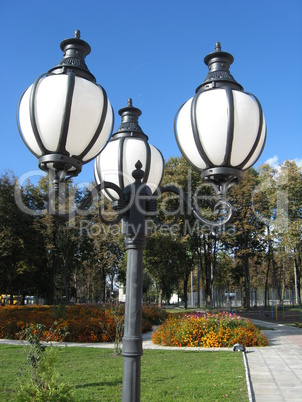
(75,261)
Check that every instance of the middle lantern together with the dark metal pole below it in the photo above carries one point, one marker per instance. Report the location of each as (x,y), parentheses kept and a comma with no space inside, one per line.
(115,165)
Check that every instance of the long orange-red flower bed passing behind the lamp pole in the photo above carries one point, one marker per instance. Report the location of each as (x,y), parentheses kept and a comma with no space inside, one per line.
(84,323)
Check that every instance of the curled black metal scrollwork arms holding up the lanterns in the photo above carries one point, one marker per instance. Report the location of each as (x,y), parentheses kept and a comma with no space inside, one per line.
(222,209)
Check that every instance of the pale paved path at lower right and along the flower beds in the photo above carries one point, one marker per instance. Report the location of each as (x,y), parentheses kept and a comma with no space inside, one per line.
(274,373)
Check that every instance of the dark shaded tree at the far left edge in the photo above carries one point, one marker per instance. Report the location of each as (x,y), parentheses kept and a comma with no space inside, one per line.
(21,258)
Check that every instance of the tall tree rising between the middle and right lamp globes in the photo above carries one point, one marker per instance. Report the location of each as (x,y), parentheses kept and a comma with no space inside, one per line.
(190,231)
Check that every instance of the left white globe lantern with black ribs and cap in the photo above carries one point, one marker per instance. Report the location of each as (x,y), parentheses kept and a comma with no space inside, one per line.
(65,117)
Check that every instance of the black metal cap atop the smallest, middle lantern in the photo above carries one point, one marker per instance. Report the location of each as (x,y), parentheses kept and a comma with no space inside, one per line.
(129,126)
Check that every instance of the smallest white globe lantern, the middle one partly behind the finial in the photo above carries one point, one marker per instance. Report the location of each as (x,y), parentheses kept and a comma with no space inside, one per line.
(127,145)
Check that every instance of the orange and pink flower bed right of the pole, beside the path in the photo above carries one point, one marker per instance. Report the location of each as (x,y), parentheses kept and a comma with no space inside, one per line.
(208,330)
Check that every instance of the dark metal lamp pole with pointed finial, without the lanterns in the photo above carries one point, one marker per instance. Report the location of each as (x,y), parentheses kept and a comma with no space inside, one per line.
(134,231)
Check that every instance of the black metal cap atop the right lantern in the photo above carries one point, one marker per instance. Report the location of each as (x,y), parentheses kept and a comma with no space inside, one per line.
(219,63)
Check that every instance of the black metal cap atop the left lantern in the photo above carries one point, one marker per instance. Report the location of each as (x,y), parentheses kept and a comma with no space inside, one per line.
(75,50)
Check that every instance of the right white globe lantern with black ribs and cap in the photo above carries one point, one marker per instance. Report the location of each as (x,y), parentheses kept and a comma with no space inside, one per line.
(221,131)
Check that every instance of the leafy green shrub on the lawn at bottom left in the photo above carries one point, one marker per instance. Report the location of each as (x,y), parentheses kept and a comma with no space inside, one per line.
(43,385)
